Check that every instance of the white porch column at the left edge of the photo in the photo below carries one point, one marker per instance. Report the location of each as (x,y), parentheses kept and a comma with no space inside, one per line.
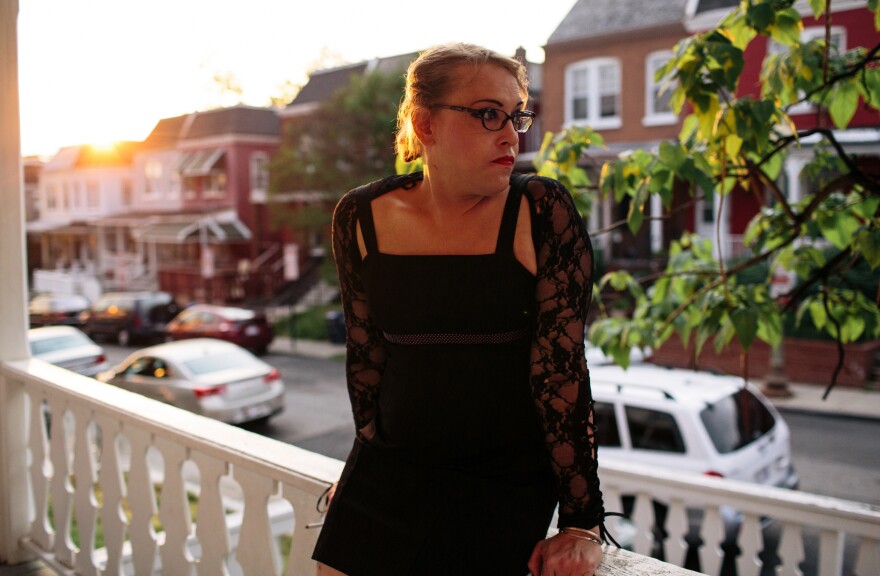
(13,305)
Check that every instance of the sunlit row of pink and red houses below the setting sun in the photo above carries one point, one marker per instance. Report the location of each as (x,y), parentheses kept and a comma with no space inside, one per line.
(183,211)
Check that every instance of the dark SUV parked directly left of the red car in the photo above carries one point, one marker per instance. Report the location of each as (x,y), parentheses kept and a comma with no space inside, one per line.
(130,316)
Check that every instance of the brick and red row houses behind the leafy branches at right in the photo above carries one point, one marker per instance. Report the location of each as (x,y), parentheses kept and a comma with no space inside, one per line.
(599,71)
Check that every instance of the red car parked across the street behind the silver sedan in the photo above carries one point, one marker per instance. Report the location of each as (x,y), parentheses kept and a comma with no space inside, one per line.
(240,326)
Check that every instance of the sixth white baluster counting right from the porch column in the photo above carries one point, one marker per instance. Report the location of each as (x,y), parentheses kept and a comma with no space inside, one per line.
(174,510)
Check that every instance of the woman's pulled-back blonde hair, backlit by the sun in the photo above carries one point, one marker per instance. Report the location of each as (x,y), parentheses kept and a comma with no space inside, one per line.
(433,74)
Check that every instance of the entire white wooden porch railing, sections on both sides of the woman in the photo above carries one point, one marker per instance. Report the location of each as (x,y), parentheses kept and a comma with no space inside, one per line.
(117,463)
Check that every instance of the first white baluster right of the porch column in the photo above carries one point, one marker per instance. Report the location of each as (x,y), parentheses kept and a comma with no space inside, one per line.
(40,472)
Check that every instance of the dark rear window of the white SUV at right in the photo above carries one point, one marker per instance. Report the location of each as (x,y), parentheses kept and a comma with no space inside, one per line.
(736,421)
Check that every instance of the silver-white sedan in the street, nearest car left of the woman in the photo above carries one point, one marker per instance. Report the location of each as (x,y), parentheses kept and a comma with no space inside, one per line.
(206,376)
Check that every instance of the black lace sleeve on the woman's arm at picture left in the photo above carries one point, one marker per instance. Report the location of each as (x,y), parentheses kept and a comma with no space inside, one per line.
(365,352)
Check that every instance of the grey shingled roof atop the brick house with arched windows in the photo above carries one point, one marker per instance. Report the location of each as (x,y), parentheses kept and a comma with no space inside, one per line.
(588,18)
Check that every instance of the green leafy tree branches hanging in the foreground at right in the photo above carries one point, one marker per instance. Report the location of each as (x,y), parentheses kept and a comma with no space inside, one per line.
(731,142)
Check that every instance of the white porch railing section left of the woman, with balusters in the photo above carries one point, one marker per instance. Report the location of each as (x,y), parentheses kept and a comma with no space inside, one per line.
(119,463)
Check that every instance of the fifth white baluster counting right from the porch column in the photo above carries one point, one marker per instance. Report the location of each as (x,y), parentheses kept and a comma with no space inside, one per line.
(141,502)
